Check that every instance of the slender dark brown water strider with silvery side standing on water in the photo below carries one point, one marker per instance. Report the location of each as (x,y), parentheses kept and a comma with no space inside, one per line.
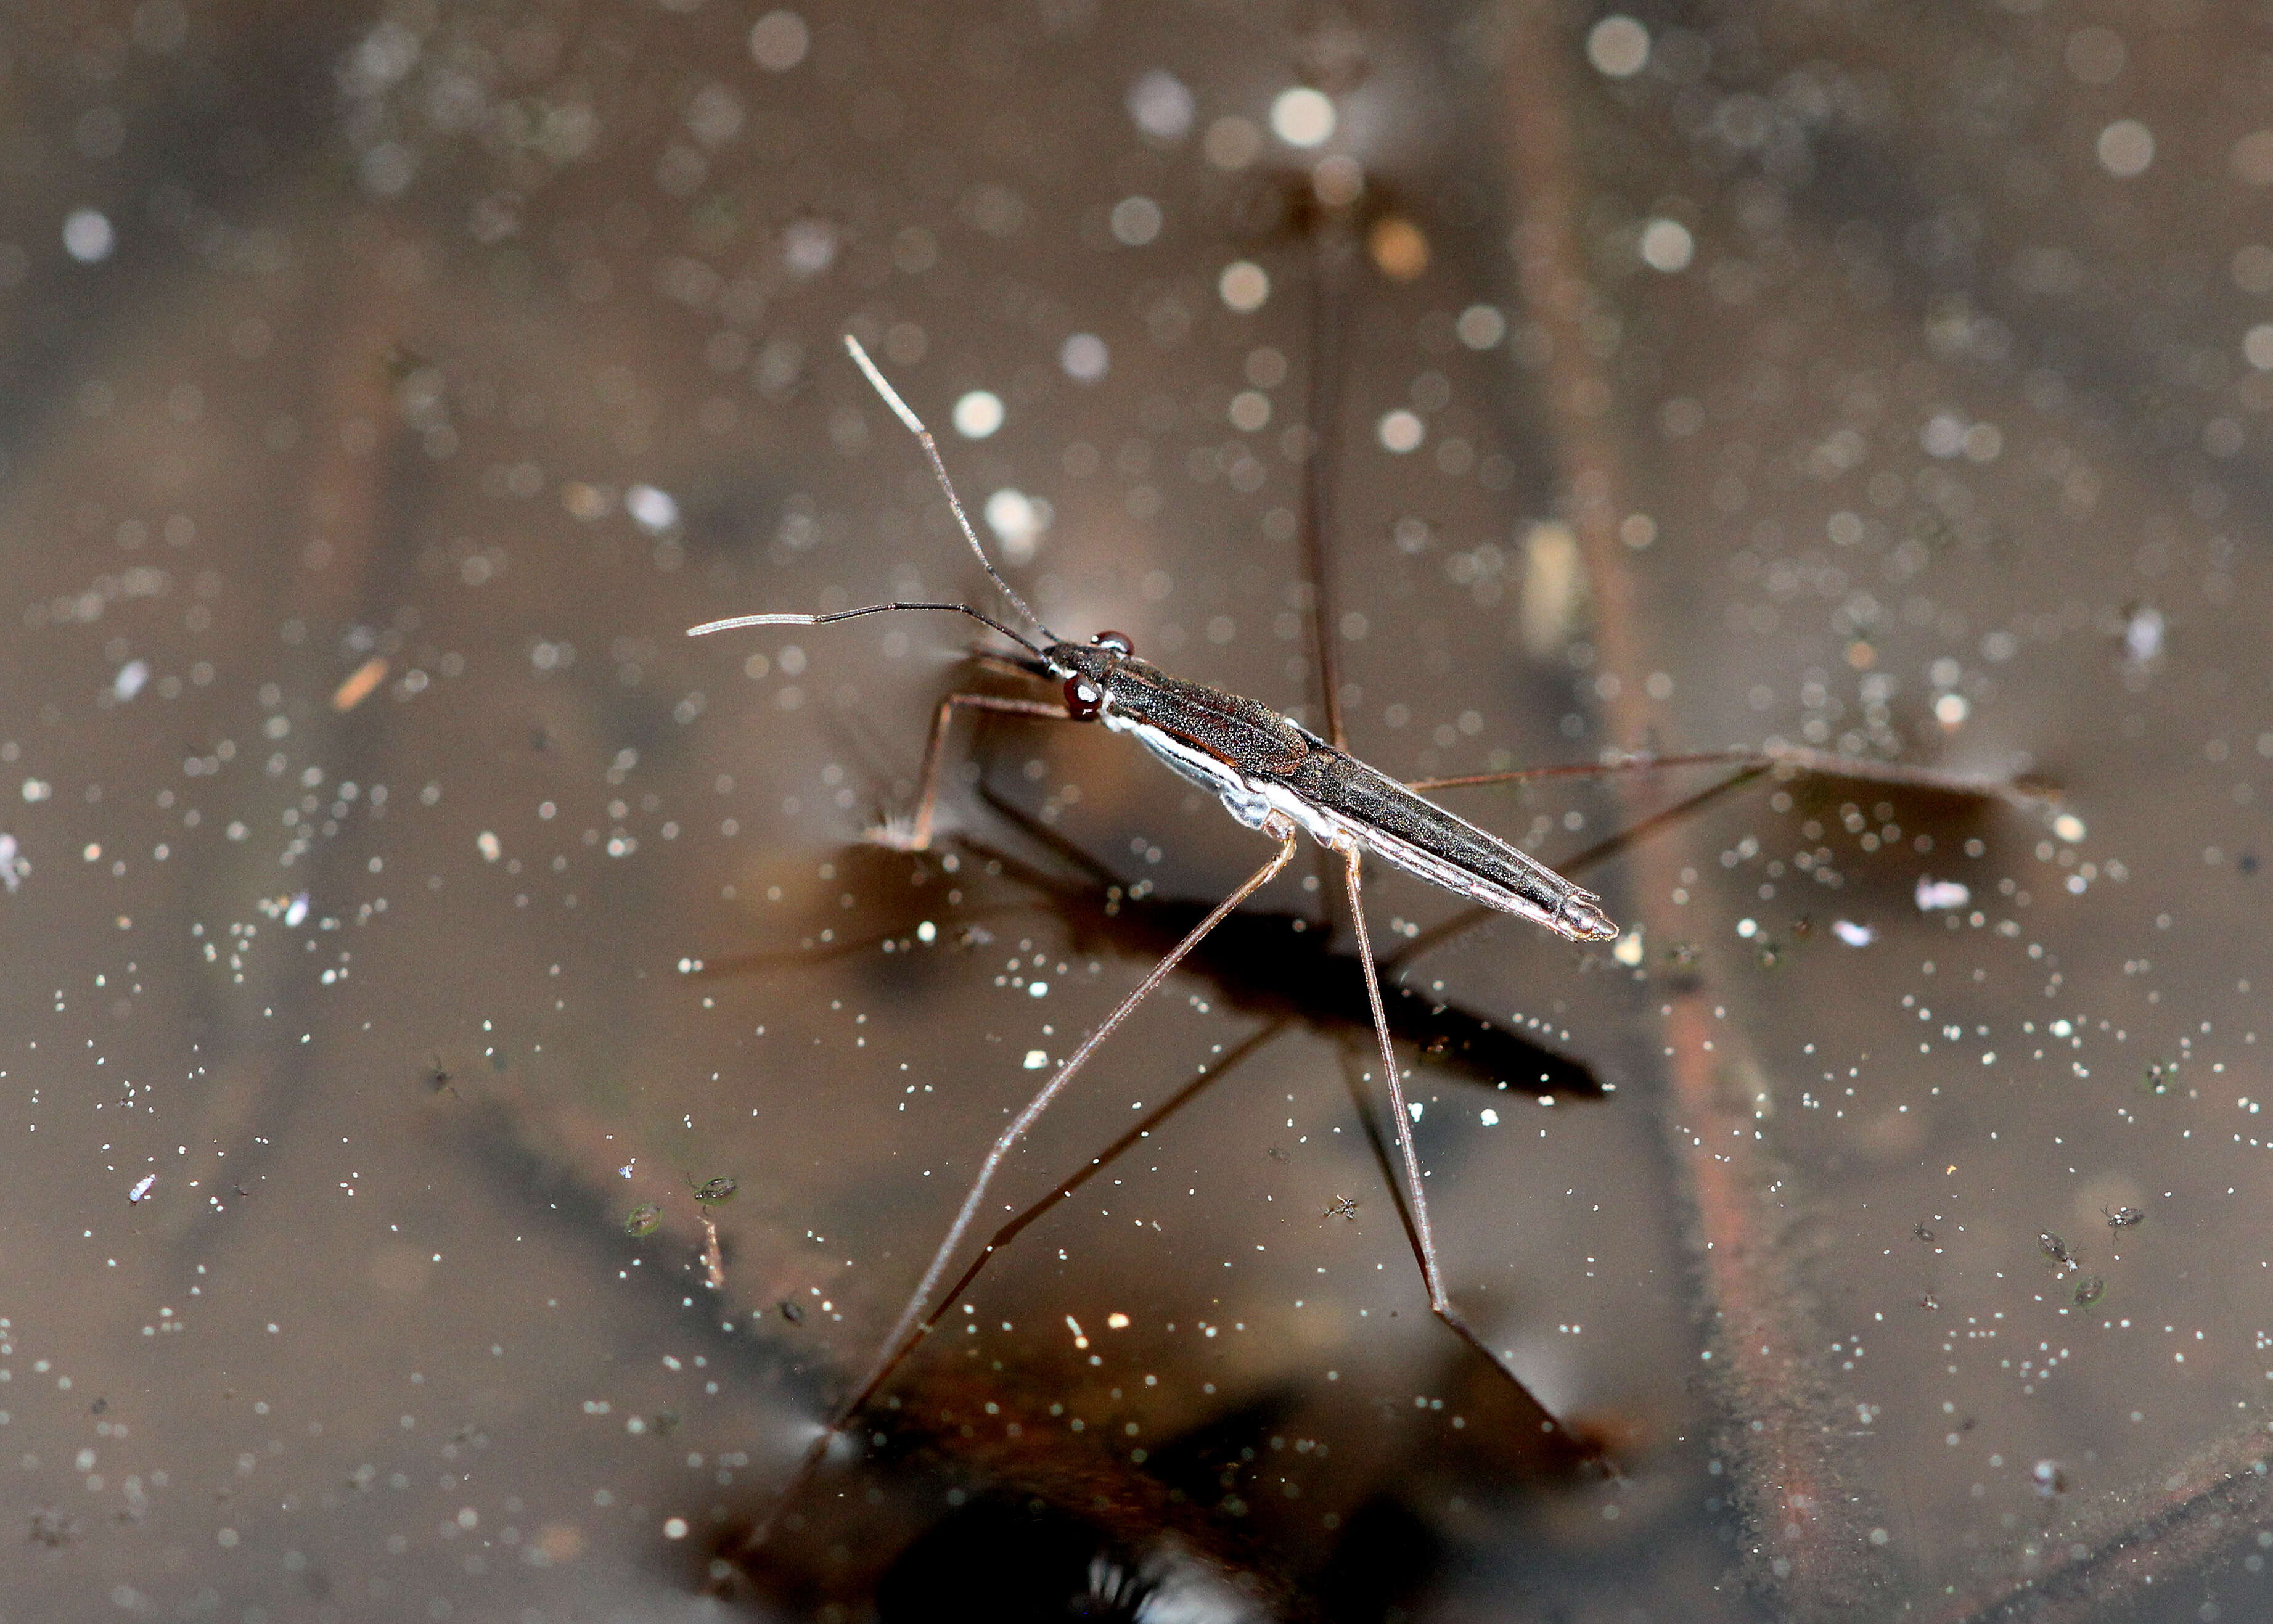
(1274,777)
